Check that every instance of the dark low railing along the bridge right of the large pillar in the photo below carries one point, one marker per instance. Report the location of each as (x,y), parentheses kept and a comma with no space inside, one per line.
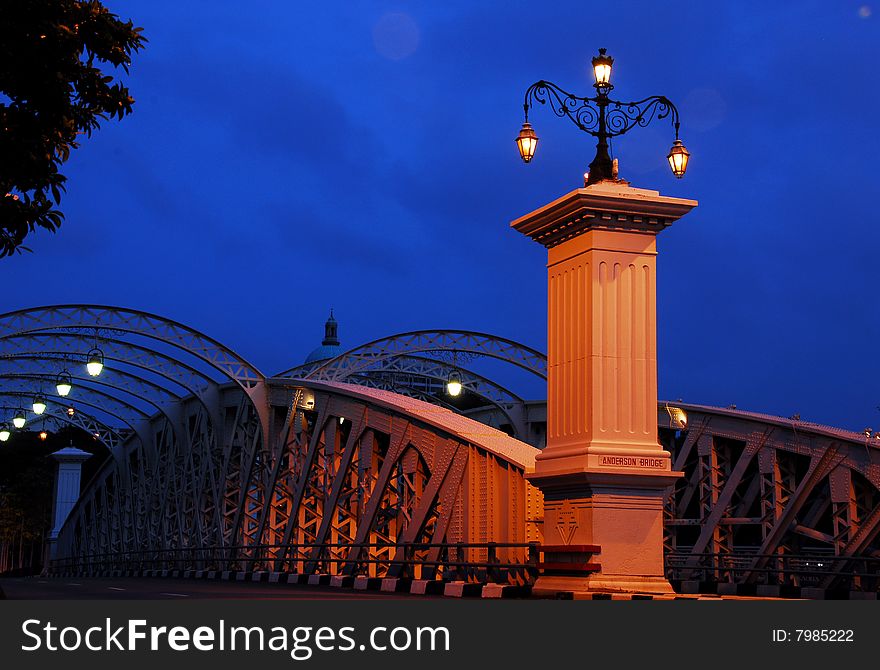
(795,570)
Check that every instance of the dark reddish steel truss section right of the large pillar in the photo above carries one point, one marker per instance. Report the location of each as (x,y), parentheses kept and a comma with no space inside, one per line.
(811,491)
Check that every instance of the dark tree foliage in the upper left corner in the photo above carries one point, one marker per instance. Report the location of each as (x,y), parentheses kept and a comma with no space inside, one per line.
(52,90)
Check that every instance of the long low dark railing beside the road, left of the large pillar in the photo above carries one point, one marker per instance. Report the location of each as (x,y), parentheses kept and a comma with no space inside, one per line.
(488,562)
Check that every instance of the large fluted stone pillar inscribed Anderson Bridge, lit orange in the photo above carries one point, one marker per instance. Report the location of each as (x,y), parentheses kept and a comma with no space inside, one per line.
(603,472)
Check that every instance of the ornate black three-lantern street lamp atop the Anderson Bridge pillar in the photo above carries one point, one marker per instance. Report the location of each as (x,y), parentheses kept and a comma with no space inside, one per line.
(601,117)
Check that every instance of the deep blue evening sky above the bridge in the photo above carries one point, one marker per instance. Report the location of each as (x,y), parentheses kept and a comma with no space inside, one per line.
(288,157)
